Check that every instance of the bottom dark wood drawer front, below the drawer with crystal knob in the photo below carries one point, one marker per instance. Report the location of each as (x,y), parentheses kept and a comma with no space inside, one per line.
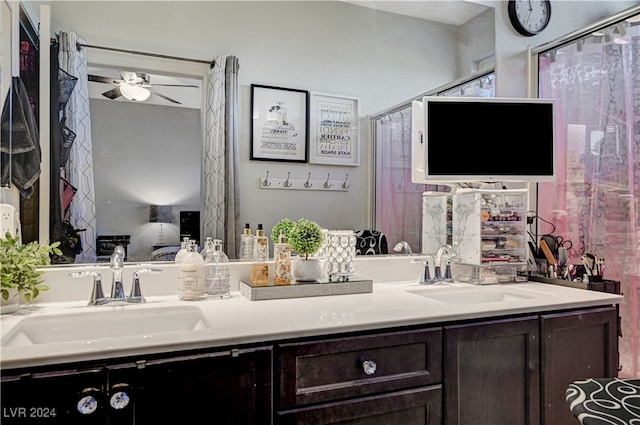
(421,406)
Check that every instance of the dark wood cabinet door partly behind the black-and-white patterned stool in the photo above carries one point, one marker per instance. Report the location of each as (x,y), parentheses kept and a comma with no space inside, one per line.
(575,346)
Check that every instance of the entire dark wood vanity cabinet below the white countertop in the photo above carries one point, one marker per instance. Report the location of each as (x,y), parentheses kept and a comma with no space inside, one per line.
(512,370)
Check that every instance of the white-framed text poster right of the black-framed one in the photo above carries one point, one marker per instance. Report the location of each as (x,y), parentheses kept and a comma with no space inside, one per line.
(334,136)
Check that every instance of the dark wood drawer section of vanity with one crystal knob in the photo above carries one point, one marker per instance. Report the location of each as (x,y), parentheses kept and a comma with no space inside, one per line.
(384,378)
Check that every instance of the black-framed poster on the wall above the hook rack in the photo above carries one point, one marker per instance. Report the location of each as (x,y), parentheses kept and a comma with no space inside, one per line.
(279,124)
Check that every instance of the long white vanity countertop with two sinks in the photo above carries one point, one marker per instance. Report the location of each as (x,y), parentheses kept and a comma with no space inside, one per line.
(214,322)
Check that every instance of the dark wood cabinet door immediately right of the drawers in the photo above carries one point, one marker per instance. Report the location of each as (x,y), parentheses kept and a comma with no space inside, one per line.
(491,373)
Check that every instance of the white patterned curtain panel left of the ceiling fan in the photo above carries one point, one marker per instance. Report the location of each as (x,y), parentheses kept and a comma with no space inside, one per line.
(79,169)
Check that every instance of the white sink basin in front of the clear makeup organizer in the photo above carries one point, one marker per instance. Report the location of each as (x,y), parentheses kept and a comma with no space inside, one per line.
(476,295)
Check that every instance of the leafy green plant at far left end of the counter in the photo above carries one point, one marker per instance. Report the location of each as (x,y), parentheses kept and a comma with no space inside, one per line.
(18,268)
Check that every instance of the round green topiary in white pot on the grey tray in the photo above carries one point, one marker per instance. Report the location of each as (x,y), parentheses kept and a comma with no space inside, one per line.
(305,237)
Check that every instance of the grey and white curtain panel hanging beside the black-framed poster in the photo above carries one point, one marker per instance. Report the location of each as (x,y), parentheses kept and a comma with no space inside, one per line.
(220,196)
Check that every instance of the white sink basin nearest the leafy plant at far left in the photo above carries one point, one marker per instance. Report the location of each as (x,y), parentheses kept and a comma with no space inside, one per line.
(88,326)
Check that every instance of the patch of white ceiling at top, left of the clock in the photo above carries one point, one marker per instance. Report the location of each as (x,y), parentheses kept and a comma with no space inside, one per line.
(453,12)
